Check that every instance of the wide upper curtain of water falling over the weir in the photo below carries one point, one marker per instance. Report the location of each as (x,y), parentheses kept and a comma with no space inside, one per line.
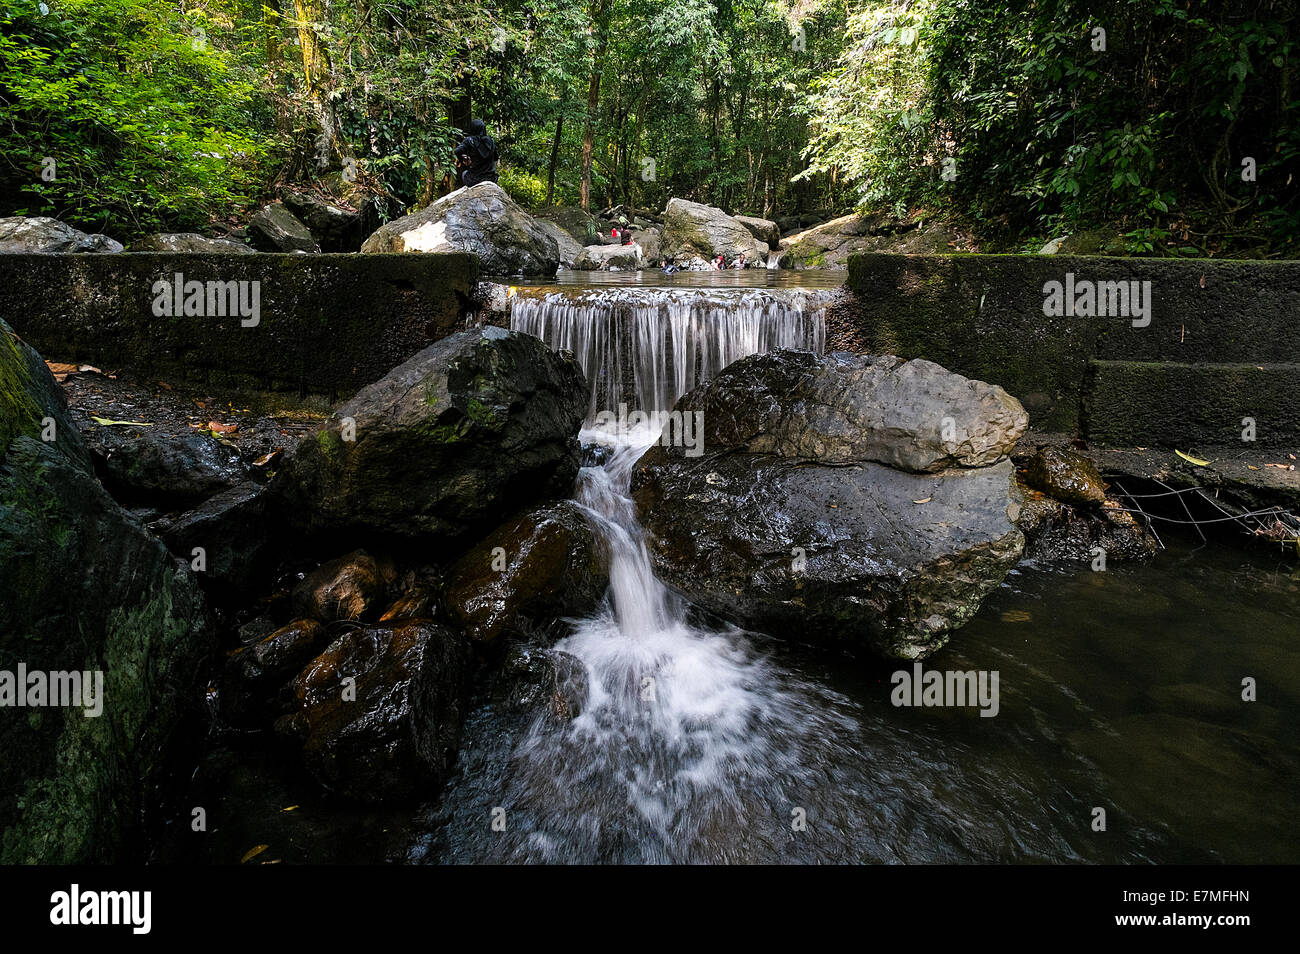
(647,348)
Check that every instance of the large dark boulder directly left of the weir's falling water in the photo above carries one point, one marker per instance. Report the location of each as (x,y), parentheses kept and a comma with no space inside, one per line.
(469,431)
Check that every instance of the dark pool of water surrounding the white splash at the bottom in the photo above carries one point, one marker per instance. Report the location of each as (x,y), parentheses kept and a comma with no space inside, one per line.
(1120,691)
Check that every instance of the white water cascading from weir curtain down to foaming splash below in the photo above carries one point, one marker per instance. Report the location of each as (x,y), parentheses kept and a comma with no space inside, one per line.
(692,745)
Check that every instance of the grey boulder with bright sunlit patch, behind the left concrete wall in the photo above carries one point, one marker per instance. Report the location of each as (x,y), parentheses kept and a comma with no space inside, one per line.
(482,220)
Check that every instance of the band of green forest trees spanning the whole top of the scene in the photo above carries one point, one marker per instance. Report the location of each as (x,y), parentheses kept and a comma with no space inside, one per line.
(1175,120)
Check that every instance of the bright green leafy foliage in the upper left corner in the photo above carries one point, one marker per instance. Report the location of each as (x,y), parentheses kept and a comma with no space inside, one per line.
(132,111)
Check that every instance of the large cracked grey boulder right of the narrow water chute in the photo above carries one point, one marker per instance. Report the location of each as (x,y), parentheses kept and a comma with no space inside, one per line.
(847,500)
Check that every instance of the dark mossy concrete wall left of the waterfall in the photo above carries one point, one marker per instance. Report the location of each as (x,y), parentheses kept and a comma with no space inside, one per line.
(330,324)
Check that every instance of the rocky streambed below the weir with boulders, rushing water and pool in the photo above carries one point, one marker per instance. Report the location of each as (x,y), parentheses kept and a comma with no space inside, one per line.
(457,619)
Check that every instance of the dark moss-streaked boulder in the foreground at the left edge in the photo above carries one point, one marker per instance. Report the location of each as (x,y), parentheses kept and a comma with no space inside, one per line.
(86,591)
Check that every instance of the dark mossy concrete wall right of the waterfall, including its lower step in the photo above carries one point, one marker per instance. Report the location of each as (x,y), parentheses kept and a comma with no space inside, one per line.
(1223,344)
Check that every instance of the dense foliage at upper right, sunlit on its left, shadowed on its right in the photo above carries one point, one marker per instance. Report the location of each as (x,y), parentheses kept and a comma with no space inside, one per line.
(1051,132)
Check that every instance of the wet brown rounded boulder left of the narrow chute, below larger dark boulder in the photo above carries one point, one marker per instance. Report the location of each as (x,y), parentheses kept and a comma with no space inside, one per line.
(544,565)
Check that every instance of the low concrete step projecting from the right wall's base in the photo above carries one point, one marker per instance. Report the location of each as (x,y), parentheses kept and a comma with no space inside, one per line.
(1130,404)
